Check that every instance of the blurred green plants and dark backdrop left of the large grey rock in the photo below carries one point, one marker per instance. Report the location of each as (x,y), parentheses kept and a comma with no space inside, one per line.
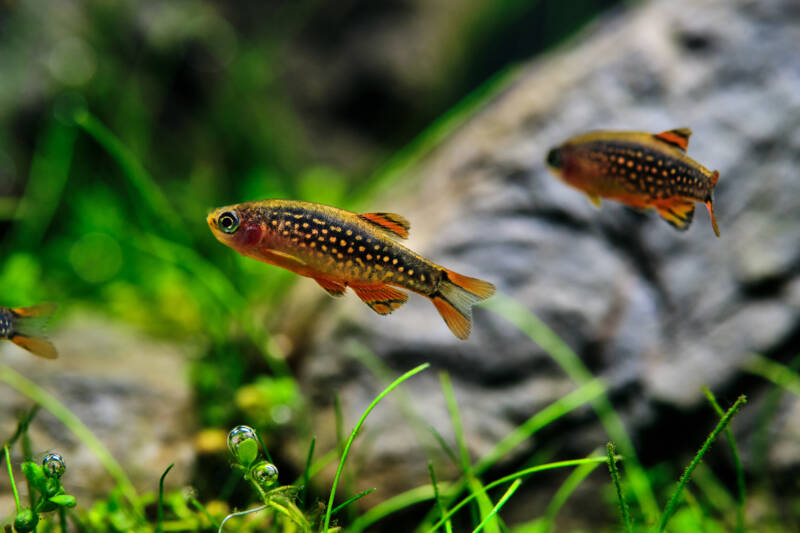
(123,123)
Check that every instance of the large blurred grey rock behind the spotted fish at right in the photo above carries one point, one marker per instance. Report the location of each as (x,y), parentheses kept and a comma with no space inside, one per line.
(655,312)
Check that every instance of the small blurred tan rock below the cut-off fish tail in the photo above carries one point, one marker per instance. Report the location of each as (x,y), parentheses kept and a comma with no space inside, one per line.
(129,390)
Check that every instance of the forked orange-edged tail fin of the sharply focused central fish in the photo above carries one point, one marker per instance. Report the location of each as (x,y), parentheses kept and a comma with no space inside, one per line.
(455,298)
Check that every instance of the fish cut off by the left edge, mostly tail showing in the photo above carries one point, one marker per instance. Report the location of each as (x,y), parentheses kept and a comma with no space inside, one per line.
(24,326)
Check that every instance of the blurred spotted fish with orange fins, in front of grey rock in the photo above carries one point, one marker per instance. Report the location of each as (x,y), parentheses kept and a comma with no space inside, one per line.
(639,169)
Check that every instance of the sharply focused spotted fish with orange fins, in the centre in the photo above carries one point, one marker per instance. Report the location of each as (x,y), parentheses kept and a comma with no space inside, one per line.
(340,249)
